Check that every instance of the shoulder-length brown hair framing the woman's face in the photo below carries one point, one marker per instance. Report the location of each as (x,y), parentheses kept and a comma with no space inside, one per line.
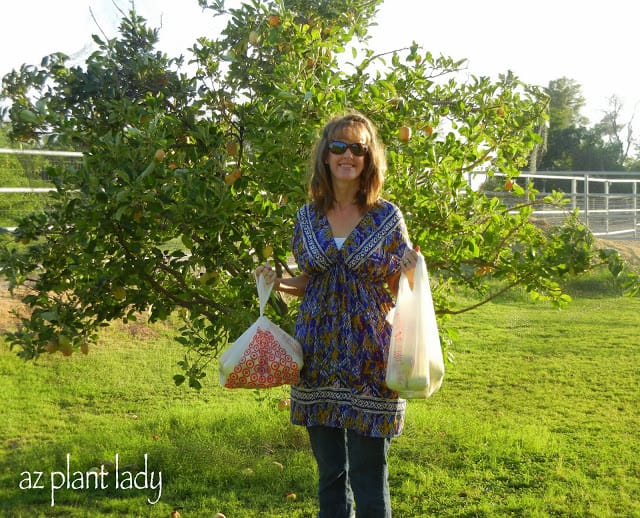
(372,177)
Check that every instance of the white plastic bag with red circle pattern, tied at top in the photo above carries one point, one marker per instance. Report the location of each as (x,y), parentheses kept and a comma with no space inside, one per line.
(264,355)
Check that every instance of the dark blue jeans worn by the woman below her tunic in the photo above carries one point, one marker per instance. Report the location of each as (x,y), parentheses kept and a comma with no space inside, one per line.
(351,467)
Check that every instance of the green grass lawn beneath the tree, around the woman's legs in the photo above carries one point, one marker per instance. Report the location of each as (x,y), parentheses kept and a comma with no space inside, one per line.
(538,417)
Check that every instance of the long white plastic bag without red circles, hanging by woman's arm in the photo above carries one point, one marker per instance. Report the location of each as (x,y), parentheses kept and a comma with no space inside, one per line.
(415,367)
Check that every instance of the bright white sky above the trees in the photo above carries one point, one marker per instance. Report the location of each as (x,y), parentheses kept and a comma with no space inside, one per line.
(590,41)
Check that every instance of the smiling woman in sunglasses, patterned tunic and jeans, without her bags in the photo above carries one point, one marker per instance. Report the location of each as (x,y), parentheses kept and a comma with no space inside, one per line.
(350,246)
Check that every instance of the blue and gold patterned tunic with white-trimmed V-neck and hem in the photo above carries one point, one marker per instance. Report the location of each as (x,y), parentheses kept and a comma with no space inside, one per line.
(342,322)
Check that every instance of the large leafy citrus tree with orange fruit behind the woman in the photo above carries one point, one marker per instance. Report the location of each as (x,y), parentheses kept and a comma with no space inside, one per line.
(190,179)
